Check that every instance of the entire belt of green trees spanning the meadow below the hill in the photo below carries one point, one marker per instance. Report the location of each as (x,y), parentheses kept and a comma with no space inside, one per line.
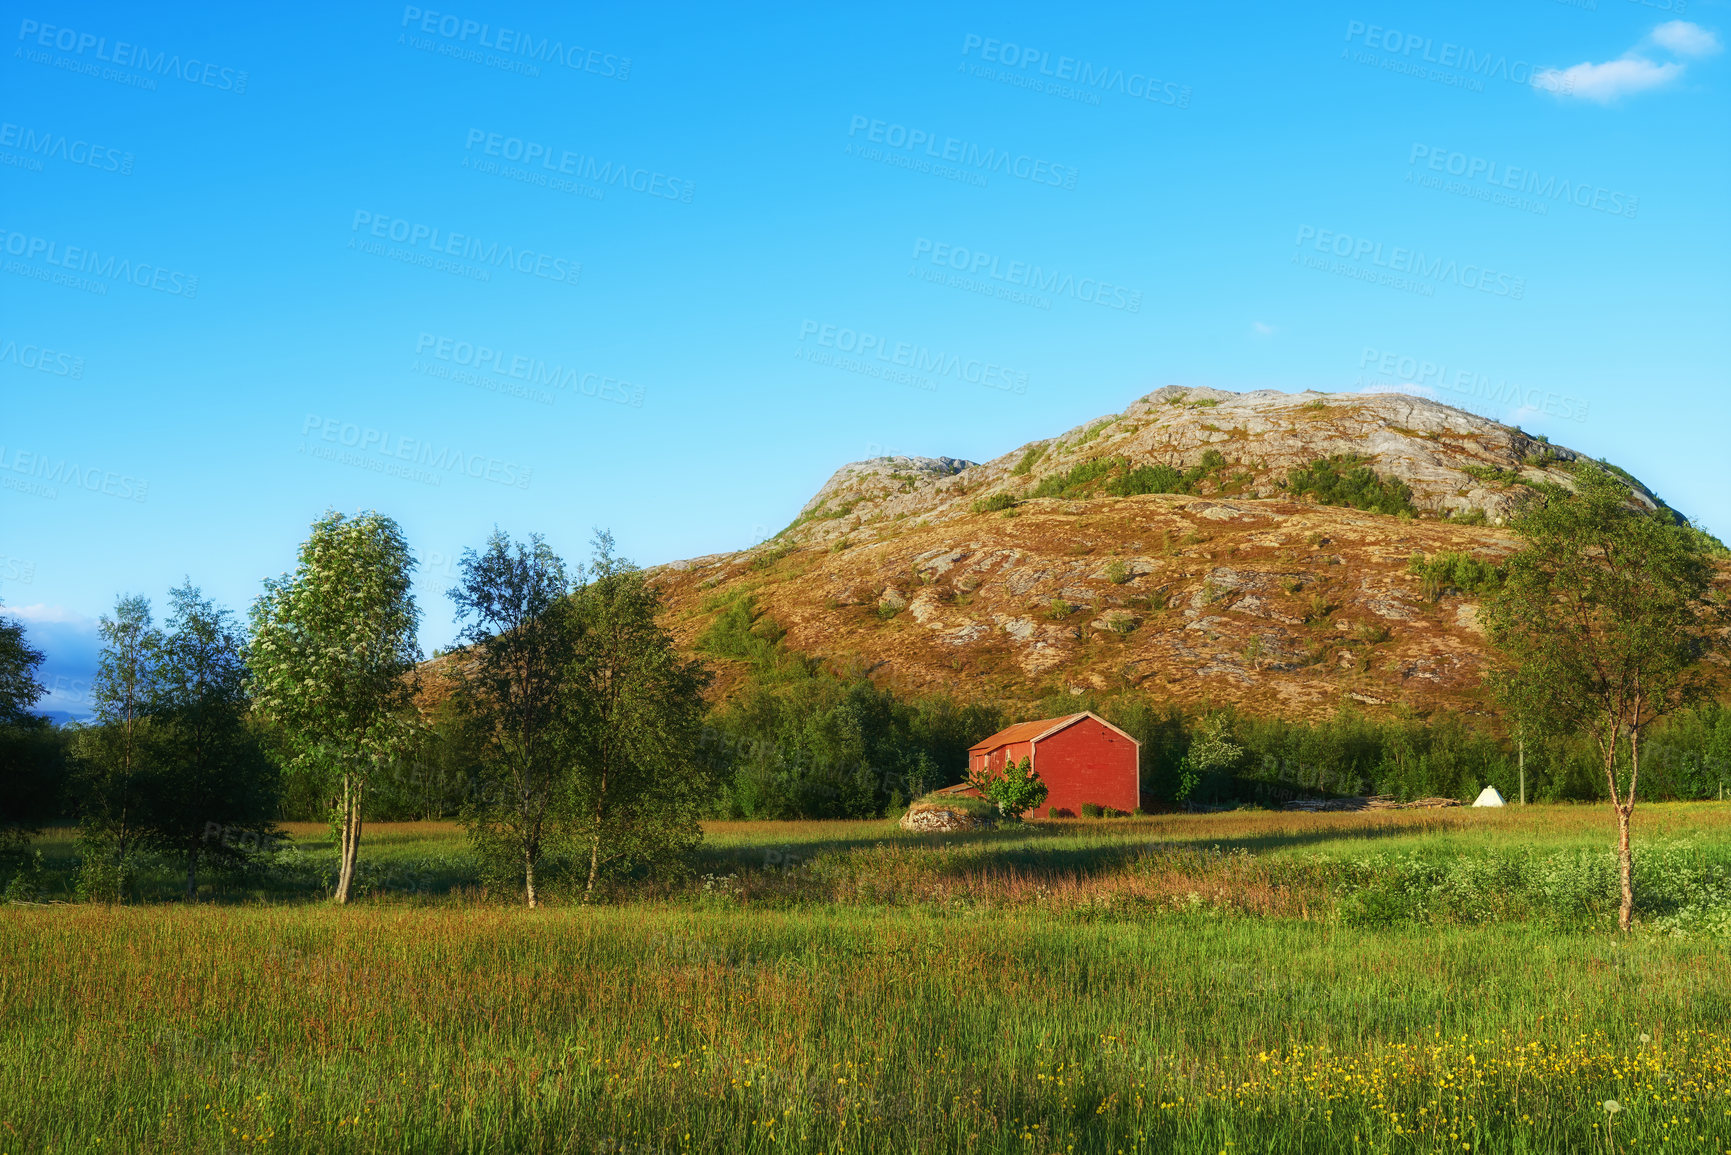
(572,739)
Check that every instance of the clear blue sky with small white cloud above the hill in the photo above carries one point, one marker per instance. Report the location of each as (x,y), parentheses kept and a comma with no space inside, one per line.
(666,271)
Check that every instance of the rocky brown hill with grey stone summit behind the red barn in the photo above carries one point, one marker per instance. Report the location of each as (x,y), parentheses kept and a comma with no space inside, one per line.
(1180,548)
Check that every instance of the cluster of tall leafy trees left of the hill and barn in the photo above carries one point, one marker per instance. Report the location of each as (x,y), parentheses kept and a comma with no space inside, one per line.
(577,718)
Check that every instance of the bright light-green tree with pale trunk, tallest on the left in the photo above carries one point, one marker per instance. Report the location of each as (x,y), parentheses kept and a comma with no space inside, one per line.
(333,661)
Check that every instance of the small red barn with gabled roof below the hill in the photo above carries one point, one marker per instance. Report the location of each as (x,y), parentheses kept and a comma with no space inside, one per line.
(1081,758)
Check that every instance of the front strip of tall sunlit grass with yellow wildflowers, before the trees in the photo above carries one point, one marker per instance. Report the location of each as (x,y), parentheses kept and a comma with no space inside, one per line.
(730,1031)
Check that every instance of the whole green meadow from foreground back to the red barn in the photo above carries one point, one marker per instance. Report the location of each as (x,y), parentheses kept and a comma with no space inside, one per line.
(844,988)
